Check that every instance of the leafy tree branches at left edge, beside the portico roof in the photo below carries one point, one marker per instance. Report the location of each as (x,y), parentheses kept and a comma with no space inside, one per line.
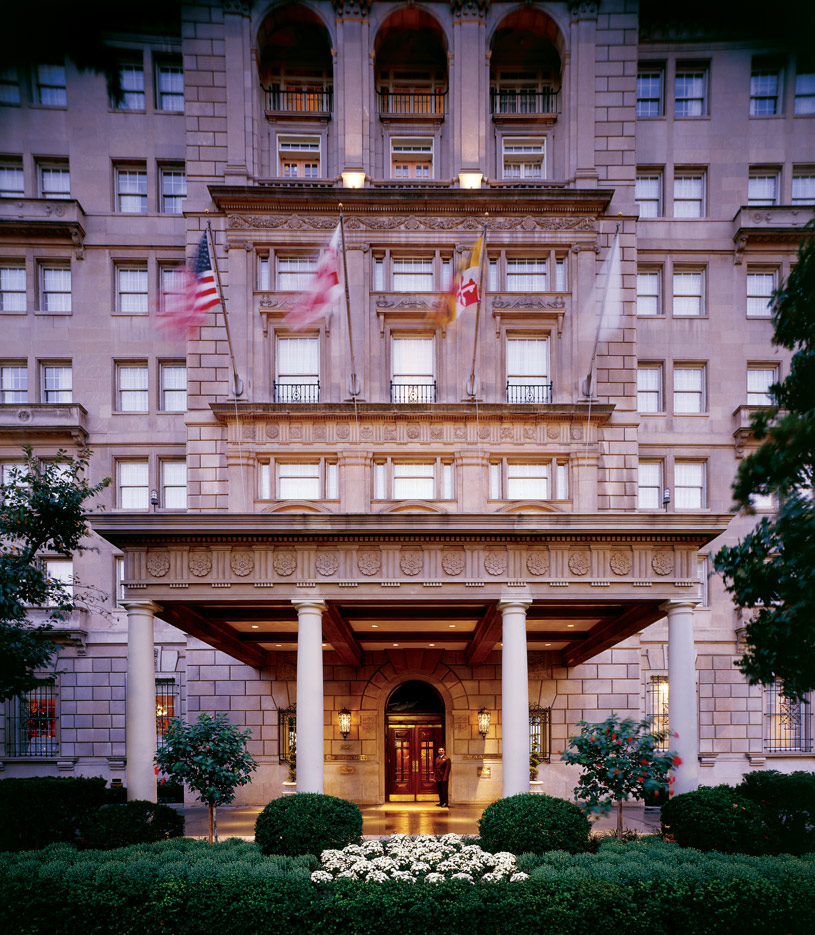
(42,509)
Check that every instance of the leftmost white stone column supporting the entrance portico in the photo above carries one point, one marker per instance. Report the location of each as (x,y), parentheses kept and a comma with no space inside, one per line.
(140,701)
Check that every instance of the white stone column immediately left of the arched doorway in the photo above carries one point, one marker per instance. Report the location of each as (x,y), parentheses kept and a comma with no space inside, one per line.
(310,729)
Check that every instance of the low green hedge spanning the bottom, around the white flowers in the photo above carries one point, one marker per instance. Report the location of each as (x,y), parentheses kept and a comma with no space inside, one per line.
(186,887)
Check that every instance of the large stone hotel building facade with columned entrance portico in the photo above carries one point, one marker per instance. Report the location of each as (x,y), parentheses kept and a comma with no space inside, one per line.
(470,534)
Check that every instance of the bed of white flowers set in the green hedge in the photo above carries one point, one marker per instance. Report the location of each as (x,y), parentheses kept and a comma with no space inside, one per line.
(422,859)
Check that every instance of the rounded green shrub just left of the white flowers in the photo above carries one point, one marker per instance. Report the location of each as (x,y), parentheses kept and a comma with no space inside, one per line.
(307,823)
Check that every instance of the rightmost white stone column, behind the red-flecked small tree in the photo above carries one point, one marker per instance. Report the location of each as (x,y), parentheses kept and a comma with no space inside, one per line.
(682,703)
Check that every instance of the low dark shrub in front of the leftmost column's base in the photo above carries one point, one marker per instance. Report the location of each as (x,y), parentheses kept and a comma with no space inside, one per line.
(135,822)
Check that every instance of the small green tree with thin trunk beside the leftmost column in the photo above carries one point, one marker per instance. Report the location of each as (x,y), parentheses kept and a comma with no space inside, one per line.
(210,756)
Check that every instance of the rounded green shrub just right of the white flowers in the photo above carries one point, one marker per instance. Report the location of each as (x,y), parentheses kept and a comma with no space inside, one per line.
(534,824)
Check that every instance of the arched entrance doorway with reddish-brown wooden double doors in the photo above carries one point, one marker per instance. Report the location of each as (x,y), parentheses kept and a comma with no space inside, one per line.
(414,725)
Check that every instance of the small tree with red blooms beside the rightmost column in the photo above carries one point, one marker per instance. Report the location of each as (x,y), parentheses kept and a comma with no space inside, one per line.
(620,760)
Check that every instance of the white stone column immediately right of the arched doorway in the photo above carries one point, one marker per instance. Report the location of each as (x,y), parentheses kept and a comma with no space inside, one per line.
(514,697)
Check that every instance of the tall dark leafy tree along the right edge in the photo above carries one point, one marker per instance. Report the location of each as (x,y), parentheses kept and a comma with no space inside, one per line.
(772,570)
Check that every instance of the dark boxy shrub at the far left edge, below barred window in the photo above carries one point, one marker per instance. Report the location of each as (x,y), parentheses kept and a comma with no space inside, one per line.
(43,809)
